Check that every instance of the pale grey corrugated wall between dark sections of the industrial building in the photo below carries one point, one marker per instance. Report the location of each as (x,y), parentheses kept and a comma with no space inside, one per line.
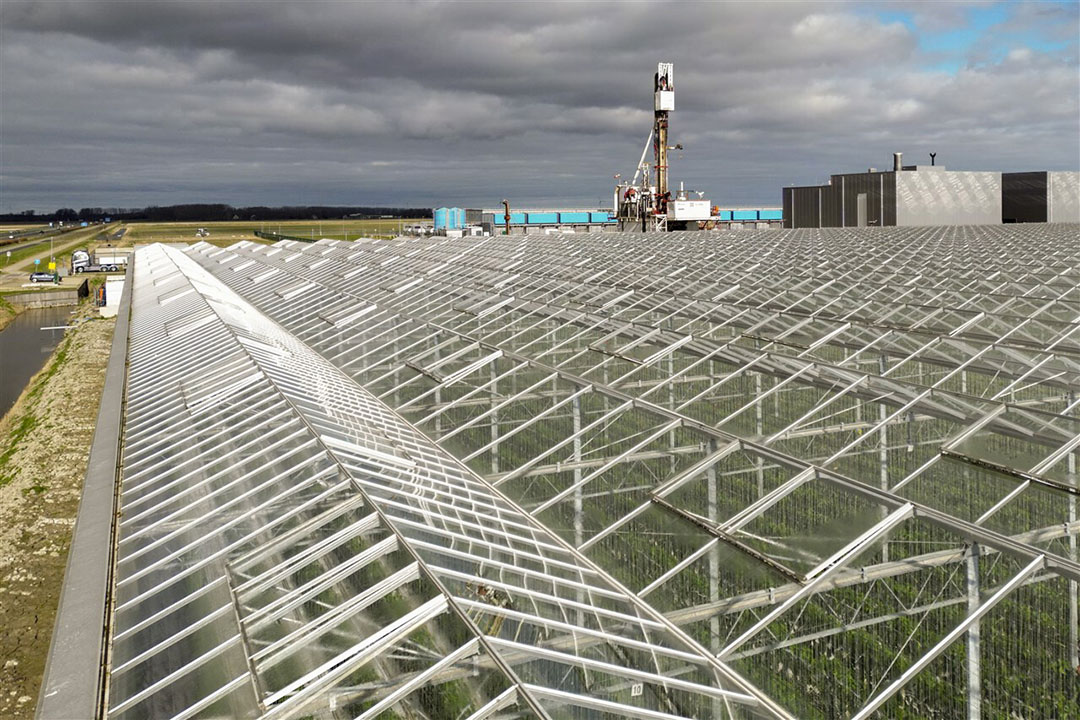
(948,198)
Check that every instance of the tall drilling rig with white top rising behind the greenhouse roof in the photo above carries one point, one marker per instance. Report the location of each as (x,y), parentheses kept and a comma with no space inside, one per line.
(652,207)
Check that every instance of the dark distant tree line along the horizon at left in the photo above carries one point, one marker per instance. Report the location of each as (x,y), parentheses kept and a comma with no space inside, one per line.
(212,212)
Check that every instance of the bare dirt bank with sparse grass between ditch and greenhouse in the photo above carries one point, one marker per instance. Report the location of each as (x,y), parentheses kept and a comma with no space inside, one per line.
(45,442)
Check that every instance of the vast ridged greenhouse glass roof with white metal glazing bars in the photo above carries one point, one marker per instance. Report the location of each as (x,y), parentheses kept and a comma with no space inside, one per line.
(812,474)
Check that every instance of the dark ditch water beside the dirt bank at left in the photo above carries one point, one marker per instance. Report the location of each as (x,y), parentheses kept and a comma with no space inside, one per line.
(25,347)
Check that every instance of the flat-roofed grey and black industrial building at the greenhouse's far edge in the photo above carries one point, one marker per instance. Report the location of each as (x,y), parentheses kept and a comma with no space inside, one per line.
(911,196)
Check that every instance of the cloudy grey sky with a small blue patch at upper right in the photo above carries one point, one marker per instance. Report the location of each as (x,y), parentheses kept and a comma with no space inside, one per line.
(130,104)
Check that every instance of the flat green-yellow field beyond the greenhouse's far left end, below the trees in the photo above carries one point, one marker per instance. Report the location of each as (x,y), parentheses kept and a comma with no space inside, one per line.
(229,233)
